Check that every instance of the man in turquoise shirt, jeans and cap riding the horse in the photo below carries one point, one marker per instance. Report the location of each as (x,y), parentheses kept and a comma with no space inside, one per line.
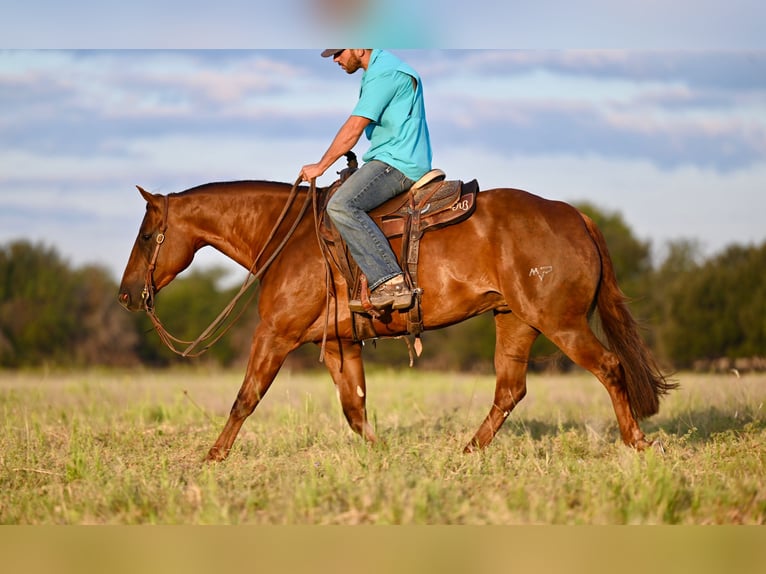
(391,113)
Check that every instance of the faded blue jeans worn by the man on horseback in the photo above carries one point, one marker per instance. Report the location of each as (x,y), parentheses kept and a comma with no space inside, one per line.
(371,185)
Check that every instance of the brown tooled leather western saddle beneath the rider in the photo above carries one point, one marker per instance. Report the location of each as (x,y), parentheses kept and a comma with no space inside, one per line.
(432,203)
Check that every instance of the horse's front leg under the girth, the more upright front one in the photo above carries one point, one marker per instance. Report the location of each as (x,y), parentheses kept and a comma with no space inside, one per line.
(344,361)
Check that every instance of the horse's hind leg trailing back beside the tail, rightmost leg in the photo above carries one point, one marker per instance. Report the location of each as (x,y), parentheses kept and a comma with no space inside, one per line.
(583,347)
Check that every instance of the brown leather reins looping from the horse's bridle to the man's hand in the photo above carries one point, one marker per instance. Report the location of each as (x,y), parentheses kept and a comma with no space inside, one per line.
(211,333)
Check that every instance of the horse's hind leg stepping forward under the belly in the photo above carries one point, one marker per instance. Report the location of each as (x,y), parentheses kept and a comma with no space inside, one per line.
(513,344)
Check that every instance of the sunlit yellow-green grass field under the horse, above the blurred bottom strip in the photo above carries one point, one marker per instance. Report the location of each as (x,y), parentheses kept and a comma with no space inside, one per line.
(126,448)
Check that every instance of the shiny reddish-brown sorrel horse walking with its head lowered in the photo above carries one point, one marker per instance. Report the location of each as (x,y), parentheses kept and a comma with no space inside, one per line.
(540,266)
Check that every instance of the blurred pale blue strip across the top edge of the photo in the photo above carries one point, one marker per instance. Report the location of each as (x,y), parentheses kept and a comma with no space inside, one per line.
(538,24)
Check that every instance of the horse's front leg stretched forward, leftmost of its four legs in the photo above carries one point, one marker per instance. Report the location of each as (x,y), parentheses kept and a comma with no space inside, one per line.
(267,353)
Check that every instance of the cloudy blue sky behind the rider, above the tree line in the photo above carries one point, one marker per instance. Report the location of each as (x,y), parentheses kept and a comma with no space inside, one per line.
(668,131)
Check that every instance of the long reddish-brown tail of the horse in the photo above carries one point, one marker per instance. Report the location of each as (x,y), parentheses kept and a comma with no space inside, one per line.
(644,380)
